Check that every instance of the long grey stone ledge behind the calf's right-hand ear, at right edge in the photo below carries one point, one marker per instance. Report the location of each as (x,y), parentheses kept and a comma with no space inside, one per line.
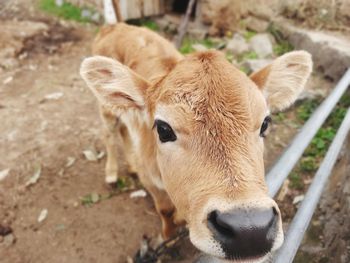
(330,54)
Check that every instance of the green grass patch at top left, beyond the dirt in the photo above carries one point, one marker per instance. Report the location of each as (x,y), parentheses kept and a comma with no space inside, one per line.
(66,11)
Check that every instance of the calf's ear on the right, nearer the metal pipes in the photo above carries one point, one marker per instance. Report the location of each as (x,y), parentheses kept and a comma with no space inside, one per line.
(284,79)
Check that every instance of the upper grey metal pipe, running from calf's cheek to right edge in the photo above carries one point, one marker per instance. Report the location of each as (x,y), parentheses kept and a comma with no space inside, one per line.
(292,154)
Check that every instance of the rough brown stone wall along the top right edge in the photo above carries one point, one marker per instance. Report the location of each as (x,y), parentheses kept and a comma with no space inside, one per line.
(227,15)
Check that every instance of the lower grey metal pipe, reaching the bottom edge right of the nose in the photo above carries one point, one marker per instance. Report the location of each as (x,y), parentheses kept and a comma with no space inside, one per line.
(304,214)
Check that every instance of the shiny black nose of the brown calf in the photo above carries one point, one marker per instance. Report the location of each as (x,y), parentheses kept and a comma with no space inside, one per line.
(244,233)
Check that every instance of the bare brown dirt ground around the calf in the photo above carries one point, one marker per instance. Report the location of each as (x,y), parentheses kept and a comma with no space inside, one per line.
(37,130)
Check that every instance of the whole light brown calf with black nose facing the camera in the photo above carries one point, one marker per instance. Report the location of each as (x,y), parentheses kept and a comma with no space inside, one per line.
(192,128)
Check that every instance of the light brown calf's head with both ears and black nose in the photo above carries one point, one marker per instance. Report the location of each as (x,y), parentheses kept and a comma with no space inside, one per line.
(208,121)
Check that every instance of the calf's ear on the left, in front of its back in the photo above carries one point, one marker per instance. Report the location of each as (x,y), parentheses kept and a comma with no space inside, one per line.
(115,85)
